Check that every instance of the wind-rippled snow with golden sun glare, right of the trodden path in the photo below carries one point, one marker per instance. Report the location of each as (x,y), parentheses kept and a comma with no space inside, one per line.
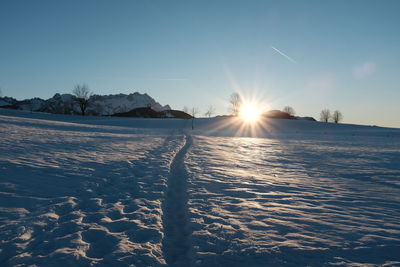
(264,202)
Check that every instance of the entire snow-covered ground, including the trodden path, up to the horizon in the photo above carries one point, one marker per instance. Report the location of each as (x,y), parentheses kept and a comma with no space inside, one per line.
(148,192)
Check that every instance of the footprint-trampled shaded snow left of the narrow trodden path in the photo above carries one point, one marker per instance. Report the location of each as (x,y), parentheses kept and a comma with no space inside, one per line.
(73,196)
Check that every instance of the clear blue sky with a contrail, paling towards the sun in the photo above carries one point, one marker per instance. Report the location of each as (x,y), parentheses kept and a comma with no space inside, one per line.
(332,54)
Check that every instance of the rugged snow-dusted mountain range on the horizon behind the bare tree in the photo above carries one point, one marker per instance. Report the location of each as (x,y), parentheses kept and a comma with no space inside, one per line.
(98,104)
